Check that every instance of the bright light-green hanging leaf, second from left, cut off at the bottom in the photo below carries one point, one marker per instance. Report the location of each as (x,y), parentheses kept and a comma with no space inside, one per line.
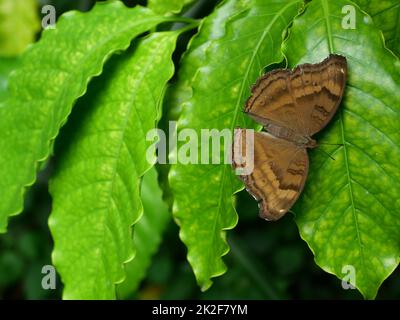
(96,186)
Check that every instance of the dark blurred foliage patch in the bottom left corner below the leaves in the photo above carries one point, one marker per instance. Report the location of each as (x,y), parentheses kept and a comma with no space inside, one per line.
(26,248)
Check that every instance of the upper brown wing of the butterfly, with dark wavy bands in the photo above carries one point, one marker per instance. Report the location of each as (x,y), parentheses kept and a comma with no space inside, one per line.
(303,100)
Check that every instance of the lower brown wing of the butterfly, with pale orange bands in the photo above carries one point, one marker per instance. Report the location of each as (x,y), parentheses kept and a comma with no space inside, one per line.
(280,171)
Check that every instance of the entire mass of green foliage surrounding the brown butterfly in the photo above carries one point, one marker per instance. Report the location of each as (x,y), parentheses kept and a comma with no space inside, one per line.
(108,220)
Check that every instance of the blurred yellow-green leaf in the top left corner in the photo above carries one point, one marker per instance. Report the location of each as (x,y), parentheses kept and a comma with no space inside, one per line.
(19,23)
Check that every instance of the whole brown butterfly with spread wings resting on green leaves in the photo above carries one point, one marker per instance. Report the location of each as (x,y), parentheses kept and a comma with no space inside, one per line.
(292,105)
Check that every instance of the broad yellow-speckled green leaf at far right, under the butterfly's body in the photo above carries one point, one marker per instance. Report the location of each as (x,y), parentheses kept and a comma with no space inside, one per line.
(349,213)
